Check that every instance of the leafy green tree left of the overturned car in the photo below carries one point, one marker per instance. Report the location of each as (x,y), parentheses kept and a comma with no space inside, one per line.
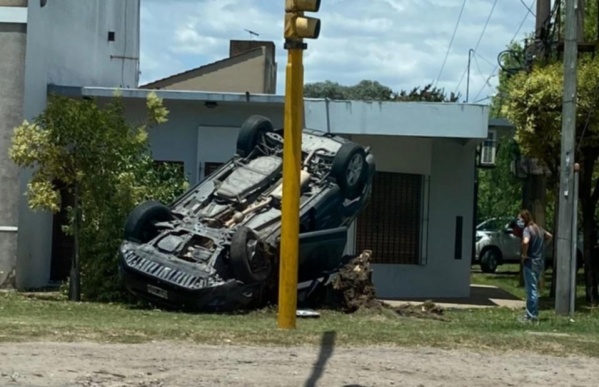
(94,152)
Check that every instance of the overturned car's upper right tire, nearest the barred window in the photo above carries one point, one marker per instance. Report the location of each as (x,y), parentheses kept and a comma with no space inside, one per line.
(350,170)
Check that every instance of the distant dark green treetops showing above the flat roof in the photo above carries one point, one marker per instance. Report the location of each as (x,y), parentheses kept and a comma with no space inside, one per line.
(367,90)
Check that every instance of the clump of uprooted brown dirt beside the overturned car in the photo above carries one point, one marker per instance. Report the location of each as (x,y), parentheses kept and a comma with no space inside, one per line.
(352,290)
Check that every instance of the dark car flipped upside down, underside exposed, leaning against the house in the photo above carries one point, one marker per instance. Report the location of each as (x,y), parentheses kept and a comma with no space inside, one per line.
(217,246)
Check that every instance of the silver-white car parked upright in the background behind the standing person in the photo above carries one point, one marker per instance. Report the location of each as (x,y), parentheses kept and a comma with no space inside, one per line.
(496,244)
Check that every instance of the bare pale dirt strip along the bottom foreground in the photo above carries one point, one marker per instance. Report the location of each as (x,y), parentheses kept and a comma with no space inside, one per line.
(168,364)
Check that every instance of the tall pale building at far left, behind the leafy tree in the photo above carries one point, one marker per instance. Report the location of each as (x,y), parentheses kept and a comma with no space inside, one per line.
(65,42)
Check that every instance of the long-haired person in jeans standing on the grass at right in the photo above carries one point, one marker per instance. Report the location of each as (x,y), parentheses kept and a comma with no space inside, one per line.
(533,247)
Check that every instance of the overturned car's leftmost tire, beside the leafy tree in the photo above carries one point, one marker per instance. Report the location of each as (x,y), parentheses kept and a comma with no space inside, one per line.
(140,225)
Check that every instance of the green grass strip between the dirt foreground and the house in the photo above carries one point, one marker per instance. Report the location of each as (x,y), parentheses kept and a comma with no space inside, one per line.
(26,318)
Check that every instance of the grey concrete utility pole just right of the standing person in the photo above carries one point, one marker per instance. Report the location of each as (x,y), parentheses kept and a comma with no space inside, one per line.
(566,192)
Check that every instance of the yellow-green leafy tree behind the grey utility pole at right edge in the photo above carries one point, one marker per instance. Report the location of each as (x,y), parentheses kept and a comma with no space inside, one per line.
(535,107)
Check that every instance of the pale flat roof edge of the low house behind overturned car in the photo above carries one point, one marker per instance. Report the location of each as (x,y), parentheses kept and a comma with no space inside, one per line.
(414,119)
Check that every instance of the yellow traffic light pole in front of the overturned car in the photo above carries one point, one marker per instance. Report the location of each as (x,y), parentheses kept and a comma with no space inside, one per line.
(297,27)
